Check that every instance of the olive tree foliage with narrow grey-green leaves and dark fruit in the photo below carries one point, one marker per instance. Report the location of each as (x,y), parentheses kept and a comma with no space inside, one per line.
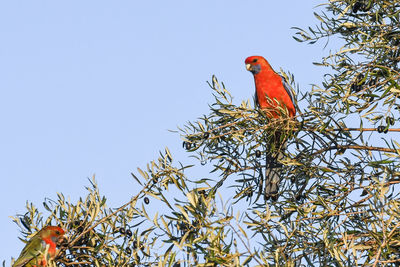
(338,202)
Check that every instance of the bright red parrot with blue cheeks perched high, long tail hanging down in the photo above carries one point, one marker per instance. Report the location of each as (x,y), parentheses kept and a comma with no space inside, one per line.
(270,84)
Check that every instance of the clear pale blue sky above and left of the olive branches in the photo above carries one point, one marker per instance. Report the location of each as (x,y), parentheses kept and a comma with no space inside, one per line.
(92,87)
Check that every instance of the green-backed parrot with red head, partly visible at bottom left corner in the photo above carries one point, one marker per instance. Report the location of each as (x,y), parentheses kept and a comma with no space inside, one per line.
(33,253)
